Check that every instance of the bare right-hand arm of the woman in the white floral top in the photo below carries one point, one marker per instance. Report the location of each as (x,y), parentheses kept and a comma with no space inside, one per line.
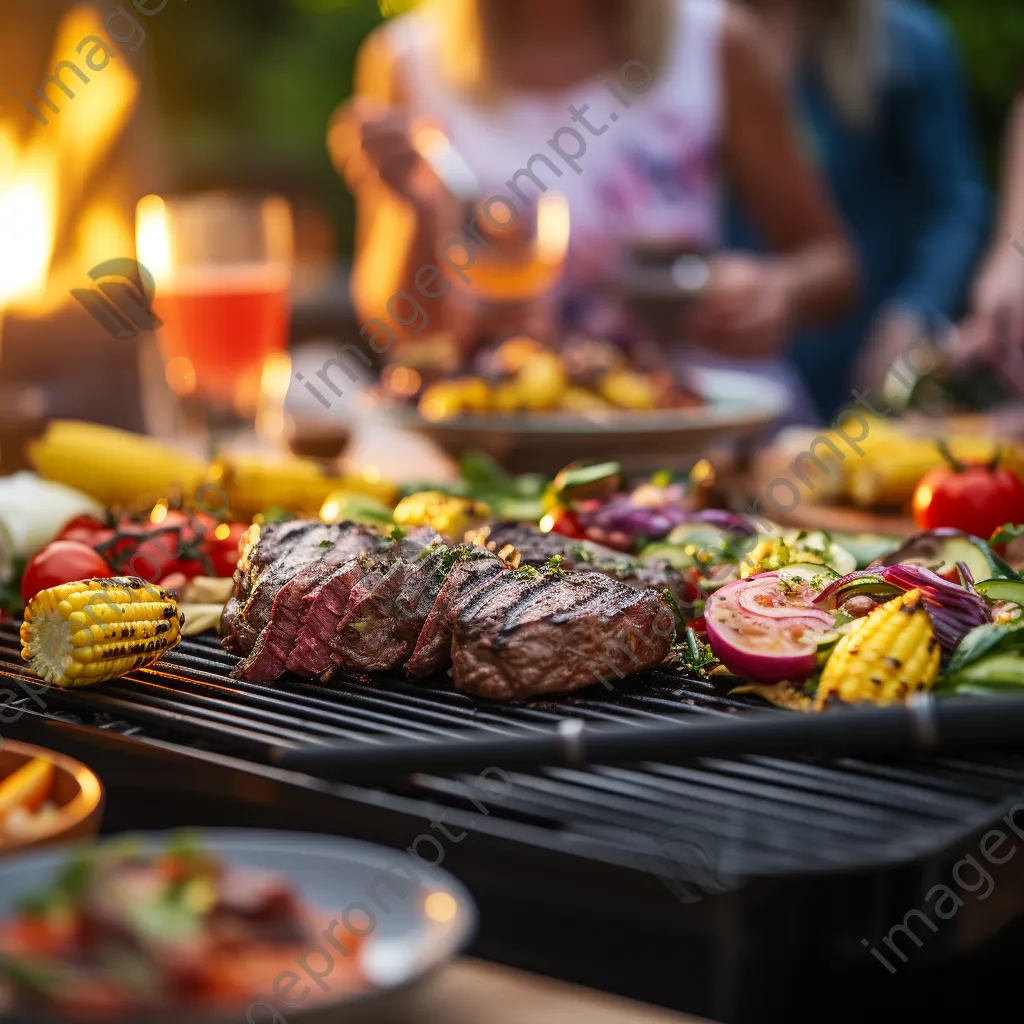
(777,186)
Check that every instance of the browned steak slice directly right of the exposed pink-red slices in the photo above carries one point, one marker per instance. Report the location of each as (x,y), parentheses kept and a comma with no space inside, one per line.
(388,610)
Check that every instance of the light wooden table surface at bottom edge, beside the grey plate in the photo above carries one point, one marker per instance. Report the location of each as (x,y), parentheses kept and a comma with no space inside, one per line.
(476,993)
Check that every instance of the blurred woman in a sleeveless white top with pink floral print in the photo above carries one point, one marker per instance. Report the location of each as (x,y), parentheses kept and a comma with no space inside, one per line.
(504,78)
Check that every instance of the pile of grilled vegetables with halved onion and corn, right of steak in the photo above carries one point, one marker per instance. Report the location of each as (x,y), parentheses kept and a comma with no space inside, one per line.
(941,612)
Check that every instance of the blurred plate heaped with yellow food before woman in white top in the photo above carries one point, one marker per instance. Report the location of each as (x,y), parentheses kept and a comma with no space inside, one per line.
(535,410)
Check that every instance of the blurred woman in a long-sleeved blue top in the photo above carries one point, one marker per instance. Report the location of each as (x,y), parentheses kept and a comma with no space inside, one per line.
(879,89)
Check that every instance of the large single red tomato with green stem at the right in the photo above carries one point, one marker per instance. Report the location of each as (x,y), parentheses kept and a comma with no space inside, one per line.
(977,499)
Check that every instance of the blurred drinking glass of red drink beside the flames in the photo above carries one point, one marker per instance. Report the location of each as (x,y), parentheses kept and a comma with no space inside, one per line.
(222,269)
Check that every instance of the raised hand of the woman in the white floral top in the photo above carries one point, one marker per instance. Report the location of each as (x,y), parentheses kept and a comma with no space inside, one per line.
(367,139)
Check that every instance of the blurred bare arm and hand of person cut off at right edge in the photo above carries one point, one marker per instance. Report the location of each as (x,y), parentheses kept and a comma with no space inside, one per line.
(994,329)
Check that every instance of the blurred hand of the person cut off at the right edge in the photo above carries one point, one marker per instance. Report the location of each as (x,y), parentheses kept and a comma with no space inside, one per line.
(994,331)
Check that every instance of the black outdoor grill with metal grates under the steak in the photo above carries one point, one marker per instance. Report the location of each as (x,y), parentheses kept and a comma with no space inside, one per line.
(578,872)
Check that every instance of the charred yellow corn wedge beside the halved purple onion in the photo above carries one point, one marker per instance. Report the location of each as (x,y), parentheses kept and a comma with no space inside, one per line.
(887,656)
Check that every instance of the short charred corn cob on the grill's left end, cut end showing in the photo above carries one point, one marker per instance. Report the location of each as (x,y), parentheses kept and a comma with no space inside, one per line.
(82,633)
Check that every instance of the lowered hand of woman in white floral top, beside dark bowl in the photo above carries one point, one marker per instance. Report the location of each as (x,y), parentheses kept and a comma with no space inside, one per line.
(747,309)
